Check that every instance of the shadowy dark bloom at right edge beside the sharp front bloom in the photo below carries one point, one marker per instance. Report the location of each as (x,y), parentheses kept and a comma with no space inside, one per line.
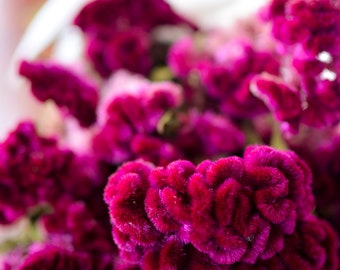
(321,152)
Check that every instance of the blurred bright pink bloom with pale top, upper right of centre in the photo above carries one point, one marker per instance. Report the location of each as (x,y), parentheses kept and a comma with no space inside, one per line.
(225,73)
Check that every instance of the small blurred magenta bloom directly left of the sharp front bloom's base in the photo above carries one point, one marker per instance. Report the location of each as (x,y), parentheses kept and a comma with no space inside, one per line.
(93,240)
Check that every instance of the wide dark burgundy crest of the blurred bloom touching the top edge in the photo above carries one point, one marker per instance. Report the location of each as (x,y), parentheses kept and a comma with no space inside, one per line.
(104,18)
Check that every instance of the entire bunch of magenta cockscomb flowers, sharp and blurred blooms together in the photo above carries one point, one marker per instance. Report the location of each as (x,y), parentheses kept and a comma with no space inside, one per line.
(178,131)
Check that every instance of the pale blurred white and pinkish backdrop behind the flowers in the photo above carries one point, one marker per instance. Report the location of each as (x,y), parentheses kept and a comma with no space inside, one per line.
(28,26)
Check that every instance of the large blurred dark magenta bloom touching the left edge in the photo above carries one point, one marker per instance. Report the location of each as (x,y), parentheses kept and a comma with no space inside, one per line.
(36,170)
